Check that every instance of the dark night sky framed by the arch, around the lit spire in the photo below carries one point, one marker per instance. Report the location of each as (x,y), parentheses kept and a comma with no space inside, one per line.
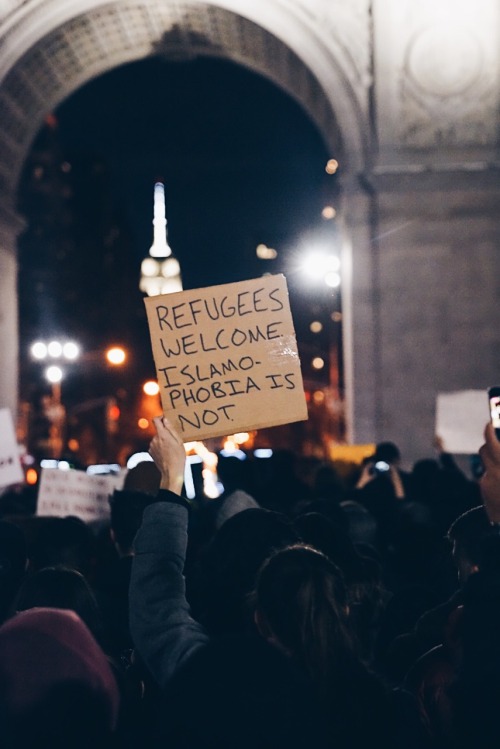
(241,161)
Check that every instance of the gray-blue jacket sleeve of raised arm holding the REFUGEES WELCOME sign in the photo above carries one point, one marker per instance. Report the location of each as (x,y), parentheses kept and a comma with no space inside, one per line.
(162,628)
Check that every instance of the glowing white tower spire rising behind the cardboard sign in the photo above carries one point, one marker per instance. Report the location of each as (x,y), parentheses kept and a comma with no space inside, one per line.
(160,271)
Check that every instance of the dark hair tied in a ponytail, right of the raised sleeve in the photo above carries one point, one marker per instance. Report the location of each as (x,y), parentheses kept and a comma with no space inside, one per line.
(301,594)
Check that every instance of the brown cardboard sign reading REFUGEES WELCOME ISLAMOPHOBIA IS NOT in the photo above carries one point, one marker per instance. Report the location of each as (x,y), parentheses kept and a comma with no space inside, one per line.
(226,358)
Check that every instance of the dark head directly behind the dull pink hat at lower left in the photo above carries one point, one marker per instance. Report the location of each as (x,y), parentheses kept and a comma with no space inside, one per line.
(60,588)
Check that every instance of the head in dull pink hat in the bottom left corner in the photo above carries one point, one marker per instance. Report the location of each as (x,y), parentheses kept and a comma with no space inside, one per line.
(56,686)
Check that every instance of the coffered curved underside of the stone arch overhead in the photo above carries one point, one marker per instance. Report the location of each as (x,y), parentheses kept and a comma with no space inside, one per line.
(108,36)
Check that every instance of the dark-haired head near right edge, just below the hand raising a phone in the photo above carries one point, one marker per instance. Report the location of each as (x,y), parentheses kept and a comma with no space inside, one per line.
(467,534)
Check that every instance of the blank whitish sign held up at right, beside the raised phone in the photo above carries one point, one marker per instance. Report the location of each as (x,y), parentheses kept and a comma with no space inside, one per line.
(460,420)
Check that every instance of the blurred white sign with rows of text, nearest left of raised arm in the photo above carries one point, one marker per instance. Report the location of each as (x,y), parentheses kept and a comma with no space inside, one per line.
(63,493)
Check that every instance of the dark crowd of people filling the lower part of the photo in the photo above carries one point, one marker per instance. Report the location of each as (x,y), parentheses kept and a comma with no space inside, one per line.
(301,607)
